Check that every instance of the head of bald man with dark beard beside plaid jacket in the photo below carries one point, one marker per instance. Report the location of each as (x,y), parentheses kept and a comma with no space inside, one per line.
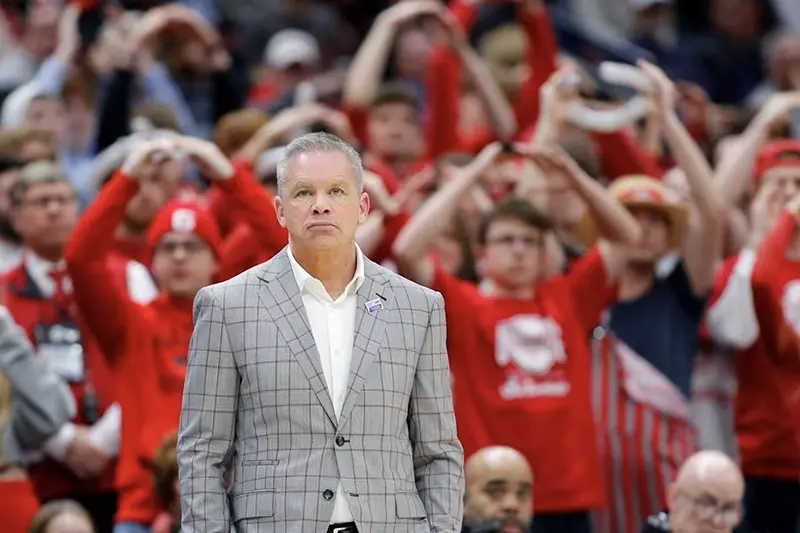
(498,497)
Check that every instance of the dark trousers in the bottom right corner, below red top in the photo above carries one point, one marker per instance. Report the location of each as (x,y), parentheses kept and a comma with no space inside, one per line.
(772,505)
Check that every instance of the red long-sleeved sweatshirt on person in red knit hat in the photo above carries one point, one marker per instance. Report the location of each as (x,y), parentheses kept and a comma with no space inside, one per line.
(148,344)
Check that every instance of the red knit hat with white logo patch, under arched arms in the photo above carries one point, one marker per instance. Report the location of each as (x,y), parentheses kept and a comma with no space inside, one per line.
(188,217)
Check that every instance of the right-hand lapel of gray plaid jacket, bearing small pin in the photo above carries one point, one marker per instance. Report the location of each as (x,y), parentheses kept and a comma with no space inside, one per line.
(369,331)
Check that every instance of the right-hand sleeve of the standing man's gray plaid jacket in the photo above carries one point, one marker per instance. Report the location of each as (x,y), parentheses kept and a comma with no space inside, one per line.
(438,456)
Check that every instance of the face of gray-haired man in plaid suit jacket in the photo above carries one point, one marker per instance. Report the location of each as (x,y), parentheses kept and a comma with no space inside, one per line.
(321,203)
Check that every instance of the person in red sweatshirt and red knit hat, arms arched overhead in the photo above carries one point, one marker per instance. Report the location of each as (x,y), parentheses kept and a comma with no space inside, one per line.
(148,344)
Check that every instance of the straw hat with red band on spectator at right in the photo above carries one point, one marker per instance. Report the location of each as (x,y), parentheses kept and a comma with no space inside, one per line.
(644,191)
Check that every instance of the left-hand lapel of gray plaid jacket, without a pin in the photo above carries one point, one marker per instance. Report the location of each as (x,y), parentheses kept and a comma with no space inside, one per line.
(282,300)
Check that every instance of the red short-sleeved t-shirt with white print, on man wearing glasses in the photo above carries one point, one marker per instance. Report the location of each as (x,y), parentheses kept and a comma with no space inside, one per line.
(521,378)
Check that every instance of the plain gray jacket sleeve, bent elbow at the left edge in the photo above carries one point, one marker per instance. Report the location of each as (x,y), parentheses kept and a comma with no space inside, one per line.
(41,402)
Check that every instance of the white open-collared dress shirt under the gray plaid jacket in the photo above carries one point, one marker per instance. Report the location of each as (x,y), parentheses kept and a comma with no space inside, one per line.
(333,326)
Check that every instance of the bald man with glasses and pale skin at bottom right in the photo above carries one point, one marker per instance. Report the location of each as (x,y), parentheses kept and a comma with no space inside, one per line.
(706,497)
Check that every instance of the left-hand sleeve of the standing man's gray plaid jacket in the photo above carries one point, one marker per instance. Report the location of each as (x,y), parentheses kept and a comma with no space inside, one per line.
(208,421)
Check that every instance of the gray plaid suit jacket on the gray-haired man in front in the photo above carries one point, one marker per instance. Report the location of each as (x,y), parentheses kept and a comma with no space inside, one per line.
(256,404)
